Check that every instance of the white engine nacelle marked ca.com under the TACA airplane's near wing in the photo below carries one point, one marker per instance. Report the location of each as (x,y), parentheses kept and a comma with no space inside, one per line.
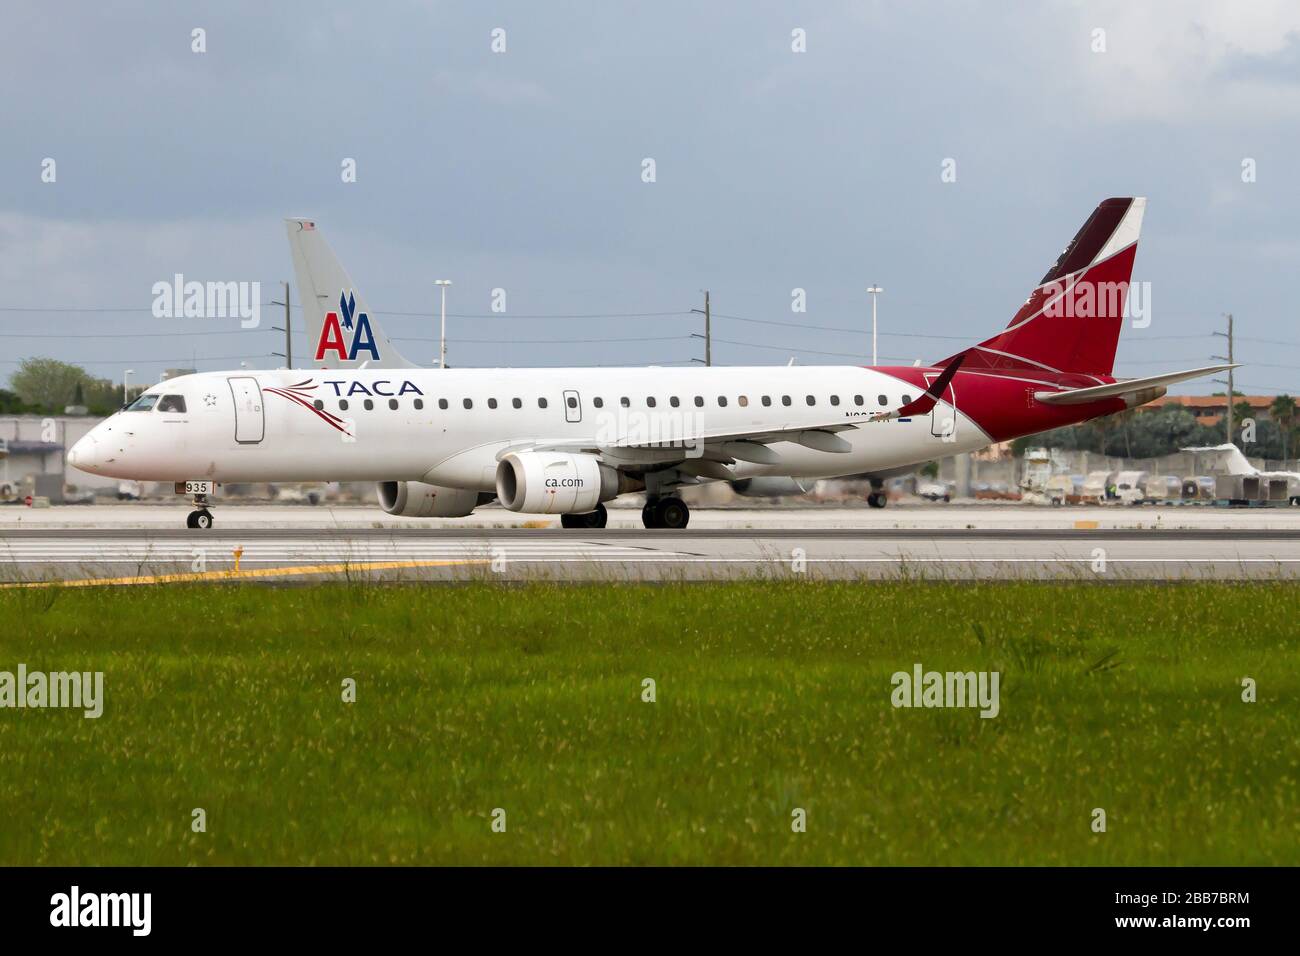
(553,483)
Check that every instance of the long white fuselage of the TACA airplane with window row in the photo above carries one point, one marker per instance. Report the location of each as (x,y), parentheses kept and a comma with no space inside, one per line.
(450,427)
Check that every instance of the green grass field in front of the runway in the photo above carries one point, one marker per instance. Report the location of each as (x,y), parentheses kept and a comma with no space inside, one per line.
(770,697)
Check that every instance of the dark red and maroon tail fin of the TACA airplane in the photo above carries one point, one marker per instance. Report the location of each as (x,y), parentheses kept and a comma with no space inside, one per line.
(1073,318)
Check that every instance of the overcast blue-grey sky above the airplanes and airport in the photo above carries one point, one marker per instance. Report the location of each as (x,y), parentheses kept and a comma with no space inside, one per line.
(523,171)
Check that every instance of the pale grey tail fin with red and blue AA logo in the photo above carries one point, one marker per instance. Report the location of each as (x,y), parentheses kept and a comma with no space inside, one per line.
(341,330)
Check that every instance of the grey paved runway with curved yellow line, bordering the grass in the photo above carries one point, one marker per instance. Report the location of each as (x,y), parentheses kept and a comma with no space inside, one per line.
(128,556)
